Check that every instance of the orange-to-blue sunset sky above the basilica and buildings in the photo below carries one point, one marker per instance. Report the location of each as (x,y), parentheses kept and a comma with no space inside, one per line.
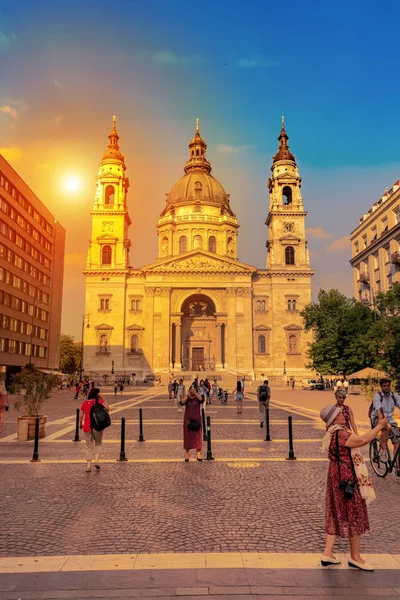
(330,68)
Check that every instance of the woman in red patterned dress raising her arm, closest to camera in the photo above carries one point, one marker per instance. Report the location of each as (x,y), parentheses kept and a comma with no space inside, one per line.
(348,489)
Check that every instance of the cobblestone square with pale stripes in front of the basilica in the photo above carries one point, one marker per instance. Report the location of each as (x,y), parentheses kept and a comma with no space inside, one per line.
(248,499)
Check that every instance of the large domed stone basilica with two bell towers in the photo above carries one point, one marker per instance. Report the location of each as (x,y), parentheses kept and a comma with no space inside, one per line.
(197,307)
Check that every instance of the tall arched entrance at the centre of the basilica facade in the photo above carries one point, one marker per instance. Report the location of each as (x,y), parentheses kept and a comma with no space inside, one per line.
(199,343)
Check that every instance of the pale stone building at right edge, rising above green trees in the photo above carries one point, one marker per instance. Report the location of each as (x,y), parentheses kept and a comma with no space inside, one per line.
(375,247)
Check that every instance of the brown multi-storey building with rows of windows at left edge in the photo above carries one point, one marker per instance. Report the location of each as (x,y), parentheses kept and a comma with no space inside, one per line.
(32,246)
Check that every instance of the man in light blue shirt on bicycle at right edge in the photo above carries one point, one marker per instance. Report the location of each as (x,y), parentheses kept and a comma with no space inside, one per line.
(383,405)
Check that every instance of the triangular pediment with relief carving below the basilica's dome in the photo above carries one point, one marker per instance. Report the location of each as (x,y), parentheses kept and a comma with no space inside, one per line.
(198,261)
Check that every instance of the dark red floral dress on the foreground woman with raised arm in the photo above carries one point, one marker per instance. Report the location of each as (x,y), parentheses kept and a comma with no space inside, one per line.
(343,518)
